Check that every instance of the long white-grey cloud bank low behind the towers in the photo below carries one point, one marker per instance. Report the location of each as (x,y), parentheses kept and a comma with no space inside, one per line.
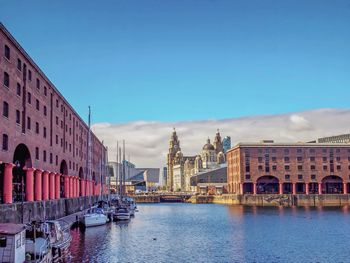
(148,142)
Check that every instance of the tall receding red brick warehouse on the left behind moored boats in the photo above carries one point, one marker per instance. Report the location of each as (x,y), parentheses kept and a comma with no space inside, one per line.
(44,142)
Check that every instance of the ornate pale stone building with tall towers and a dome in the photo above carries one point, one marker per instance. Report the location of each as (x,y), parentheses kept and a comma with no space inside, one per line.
(181,168)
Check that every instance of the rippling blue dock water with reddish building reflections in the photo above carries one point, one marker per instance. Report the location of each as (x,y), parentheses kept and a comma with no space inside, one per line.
(218,233)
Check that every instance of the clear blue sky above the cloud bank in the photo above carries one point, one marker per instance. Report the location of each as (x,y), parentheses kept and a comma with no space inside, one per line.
(188,60)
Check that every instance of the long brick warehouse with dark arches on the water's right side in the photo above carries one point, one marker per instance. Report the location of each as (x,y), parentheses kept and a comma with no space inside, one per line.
(289,168)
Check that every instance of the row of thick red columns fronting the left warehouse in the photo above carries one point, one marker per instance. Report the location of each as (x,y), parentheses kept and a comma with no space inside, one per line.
(47,185)
